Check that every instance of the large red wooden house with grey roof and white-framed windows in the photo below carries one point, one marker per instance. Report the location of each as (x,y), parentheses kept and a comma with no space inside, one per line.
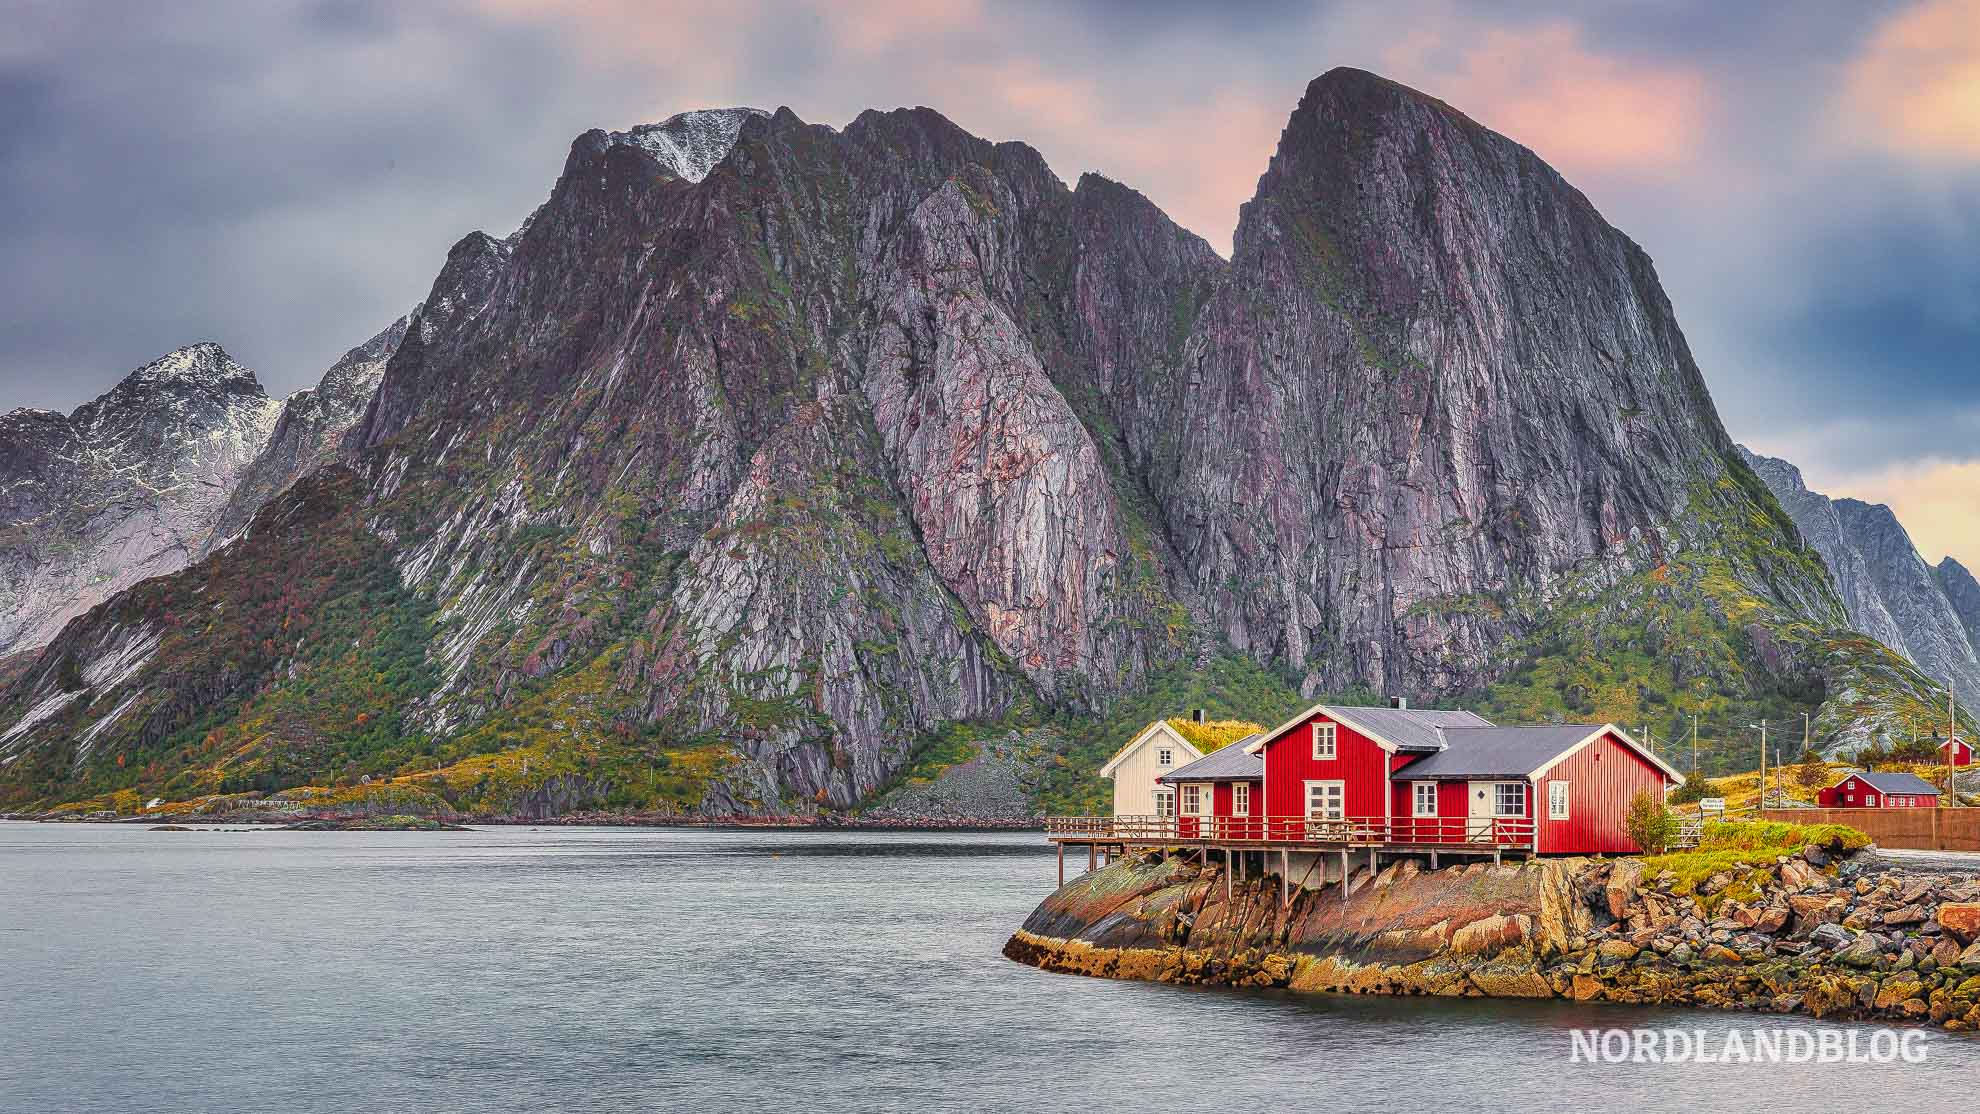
(1425,779)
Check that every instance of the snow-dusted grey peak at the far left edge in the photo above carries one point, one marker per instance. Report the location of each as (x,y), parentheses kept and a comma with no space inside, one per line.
(122,490)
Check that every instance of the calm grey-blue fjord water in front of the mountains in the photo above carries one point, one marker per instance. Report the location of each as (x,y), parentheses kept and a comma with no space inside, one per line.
(708,971)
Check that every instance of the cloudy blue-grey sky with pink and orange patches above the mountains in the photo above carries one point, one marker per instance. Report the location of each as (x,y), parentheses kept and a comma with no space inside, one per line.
(286,177)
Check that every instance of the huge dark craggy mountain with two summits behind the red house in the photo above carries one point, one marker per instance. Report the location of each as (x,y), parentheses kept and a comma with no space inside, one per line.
(771,464)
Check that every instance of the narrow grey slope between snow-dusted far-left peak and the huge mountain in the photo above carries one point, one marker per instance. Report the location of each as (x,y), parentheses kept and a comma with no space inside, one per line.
(310,432)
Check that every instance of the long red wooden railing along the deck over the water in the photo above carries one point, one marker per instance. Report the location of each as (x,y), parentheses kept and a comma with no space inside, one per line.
(1363,832)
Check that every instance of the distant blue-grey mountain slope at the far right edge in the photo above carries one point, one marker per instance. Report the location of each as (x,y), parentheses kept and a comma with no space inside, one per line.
(1890,593)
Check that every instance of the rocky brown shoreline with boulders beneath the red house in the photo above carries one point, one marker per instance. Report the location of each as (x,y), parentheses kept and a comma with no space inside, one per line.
(1819,933)
